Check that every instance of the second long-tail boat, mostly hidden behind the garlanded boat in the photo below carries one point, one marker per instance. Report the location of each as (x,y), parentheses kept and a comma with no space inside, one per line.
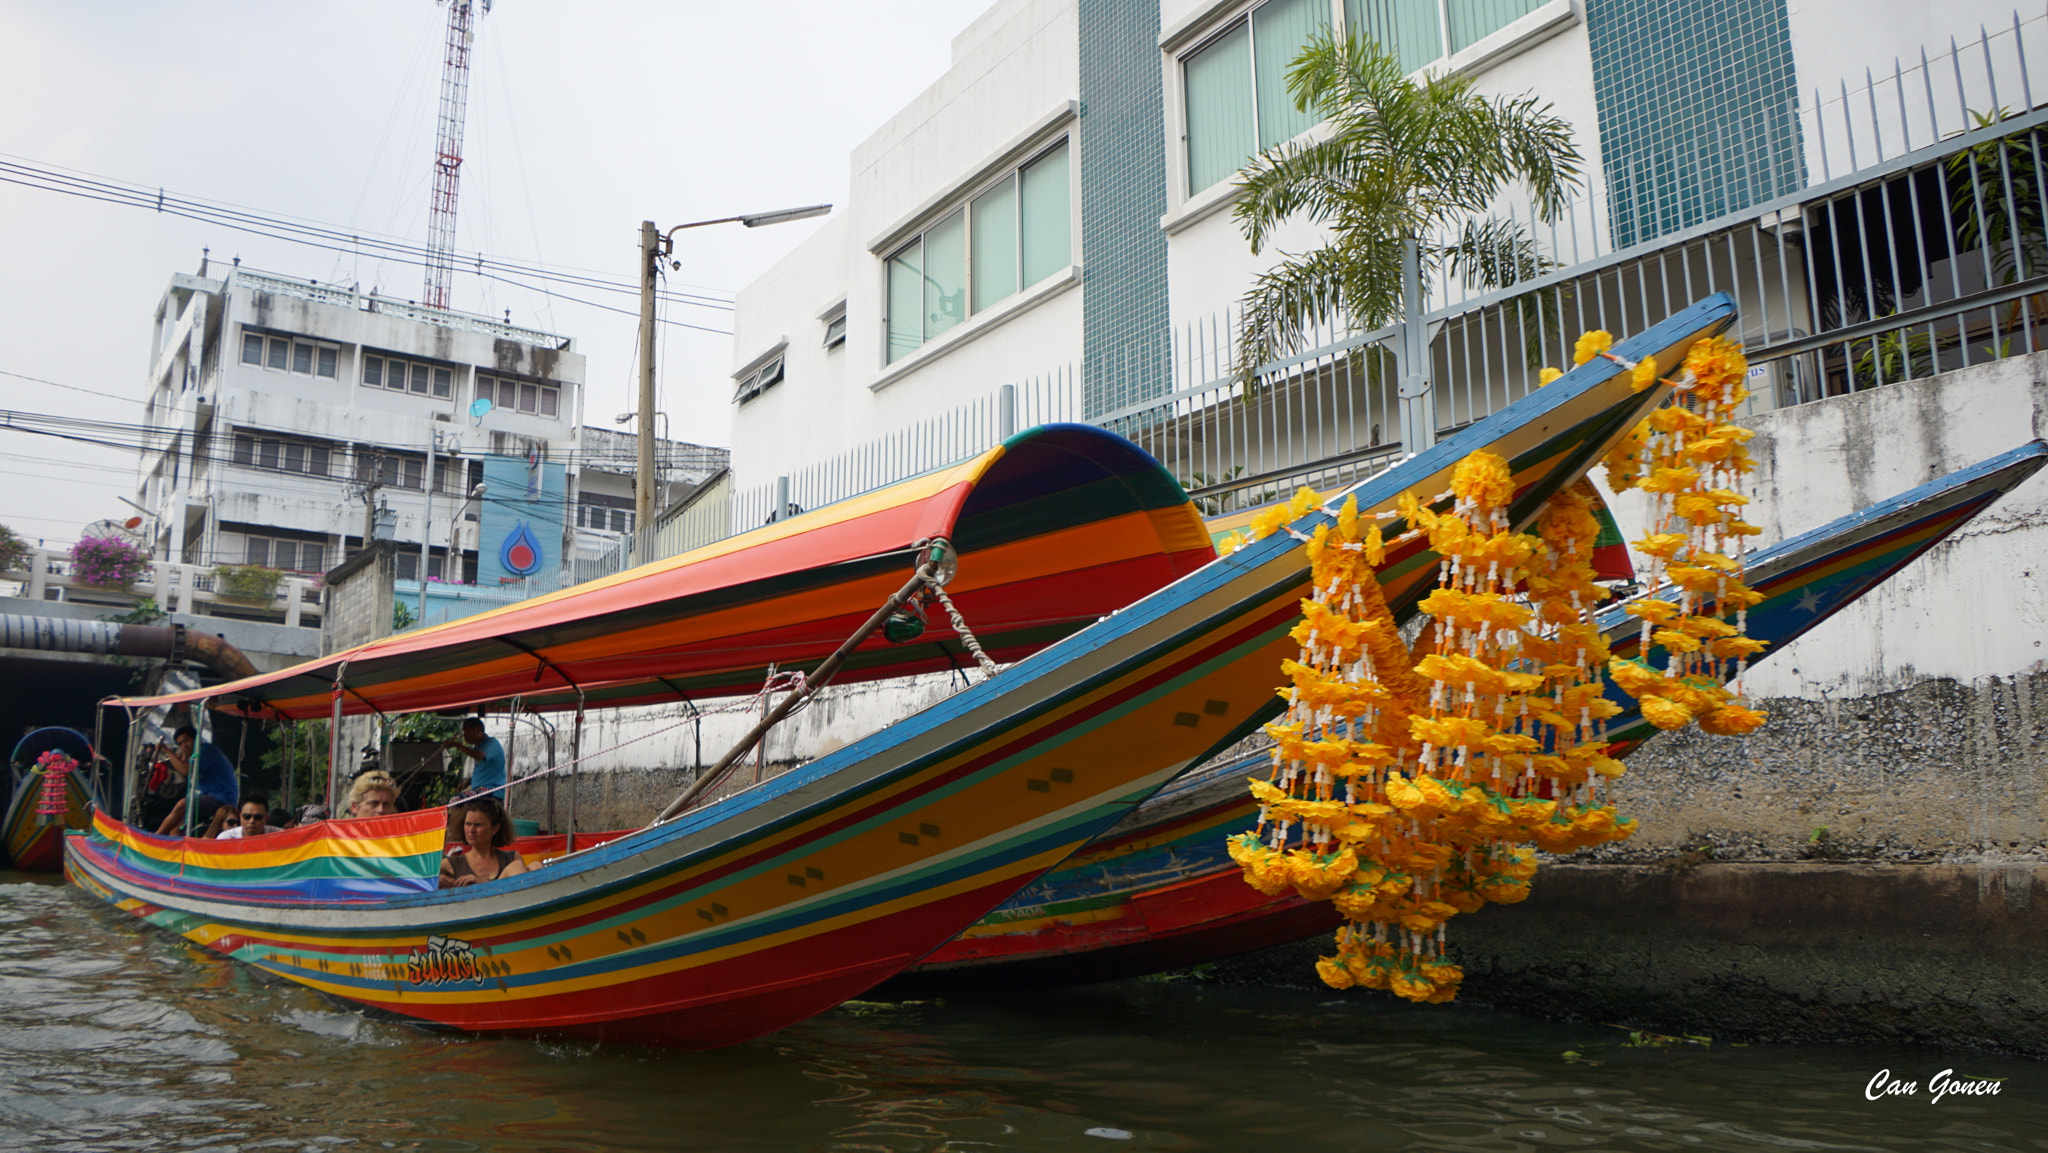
(1160,892)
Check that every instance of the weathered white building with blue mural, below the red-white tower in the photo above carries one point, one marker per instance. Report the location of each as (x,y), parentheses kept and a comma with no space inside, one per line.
(284,415)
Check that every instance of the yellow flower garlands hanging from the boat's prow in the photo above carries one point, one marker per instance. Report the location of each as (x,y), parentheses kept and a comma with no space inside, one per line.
(1414,785)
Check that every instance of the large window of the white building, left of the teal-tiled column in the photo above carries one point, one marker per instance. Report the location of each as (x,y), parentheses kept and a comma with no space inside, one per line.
(1011,234)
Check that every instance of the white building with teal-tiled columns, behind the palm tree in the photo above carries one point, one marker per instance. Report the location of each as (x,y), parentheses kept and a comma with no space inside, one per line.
(1058,204)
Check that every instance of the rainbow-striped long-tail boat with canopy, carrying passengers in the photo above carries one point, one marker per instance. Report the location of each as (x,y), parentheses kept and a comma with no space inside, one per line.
(773,904)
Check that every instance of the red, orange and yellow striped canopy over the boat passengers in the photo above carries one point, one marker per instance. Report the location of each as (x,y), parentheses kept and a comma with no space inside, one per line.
(1054,529)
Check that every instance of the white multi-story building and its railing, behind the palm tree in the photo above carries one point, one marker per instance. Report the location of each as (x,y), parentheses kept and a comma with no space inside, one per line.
(1056,212)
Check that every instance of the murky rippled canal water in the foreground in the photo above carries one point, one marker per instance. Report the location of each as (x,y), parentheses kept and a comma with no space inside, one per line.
(124,1039)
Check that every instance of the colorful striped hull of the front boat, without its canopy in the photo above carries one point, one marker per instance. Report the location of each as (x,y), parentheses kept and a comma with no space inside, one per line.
(785,900)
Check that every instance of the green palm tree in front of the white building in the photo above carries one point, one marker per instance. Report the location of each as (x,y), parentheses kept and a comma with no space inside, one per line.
(1398,167)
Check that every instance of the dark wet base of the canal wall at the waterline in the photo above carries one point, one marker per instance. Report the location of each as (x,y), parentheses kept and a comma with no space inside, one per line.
(1777,953)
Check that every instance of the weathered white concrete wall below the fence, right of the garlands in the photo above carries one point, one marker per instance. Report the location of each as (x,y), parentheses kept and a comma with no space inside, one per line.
(1910,726)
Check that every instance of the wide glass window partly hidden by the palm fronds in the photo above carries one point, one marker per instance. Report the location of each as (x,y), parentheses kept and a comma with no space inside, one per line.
(1236,83)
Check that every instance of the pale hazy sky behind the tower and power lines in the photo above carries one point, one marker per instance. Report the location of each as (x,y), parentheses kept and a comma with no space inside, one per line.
(585,120)
